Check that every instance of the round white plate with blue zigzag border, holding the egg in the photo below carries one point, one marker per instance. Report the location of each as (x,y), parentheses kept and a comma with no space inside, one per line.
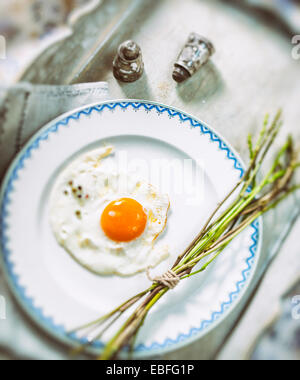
(56,291)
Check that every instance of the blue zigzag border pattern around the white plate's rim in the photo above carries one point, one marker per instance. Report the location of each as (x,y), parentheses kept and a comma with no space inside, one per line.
(4,212)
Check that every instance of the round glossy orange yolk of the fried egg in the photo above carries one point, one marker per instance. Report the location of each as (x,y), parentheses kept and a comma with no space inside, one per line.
(124,220)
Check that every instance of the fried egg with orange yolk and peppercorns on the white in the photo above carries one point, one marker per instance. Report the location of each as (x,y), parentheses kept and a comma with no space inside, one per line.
(107,220)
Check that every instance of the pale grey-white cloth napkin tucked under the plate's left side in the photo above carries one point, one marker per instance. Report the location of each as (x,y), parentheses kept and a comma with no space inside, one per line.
(24,109)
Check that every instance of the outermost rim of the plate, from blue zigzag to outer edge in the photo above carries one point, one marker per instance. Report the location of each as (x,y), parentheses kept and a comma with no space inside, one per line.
(169,345)
